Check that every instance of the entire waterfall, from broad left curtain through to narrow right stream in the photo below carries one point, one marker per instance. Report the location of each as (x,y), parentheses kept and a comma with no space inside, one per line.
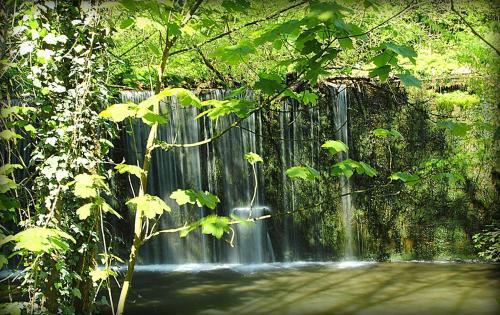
(219,167)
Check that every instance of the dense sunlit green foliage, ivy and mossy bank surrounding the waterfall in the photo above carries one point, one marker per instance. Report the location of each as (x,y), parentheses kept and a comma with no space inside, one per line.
(424,162)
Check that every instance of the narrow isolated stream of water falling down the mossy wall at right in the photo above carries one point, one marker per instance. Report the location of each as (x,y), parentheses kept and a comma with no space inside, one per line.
(341,122)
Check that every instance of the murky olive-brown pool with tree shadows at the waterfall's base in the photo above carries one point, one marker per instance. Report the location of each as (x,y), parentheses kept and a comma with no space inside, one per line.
(317,288)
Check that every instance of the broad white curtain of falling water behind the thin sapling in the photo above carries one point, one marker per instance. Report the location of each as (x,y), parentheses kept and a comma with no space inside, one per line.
(218,167)
